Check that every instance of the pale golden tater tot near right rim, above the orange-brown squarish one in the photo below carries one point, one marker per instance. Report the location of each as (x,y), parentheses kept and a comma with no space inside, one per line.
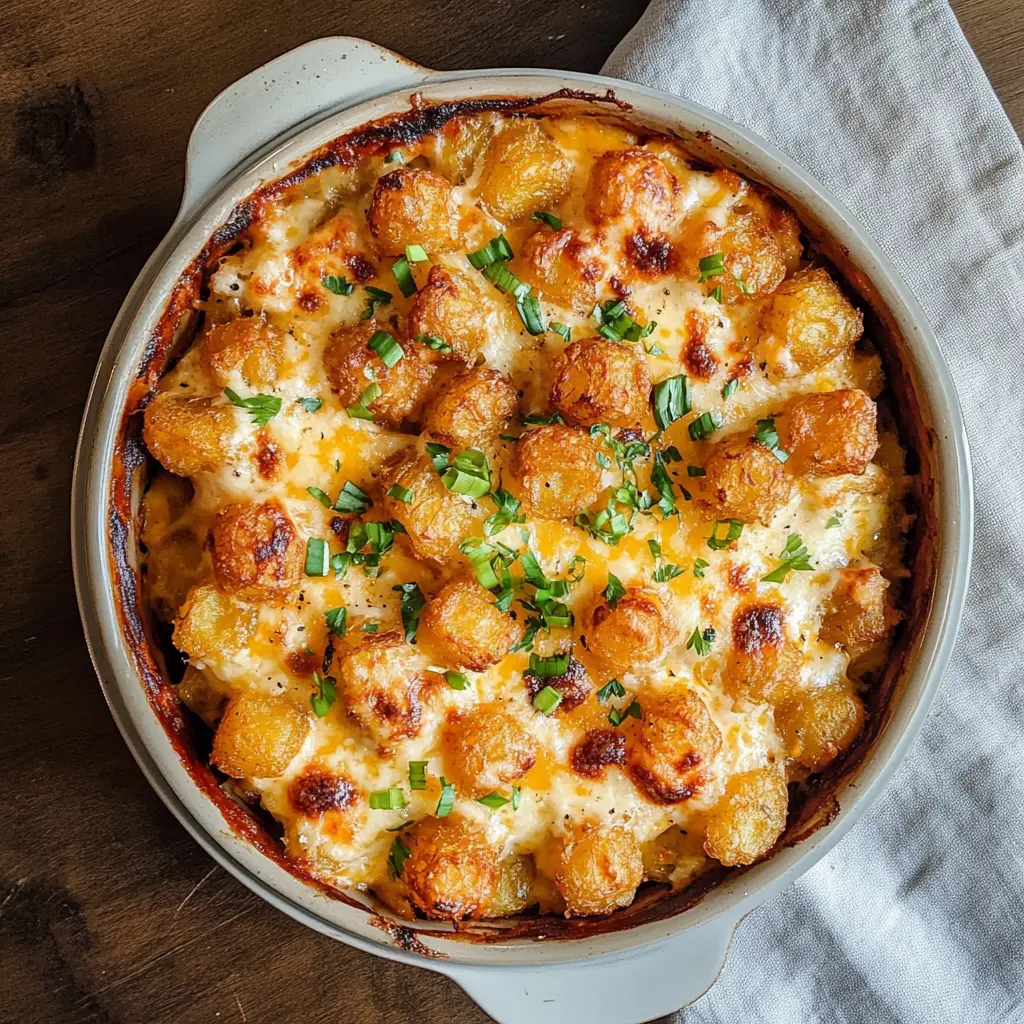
(807,323)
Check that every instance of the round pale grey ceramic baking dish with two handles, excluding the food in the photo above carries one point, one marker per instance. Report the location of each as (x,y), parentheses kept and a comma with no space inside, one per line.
(302,102)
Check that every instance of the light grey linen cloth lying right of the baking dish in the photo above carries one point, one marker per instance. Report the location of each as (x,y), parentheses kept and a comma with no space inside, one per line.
(919,914)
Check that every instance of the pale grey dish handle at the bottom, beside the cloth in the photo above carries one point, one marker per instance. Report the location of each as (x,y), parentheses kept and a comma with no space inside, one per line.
(654,982)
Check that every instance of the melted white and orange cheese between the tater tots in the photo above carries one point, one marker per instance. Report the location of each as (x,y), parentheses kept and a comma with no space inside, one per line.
(328,448)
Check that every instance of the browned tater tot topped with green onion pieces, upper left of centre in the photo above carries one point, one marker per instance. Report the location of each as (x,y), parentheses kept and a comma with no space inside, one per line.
(348,360)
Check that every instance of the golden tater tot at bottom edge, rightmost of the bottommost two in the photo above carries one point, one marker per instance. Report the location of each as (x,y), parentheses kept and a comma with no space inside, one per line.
(600,872)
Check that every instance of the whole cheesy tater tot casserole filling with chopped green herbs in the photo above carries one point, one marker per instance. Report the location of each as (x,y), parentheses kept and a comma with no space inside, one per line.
(529,516)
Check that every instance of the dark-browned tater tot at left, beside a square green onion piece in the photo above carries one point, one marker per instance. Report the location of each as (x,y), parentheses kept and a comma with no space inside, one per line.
(257,551)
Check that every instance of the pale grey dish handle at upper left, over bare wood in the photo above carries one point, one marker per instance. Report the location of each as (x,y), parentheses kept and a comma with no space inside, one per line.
(281,99)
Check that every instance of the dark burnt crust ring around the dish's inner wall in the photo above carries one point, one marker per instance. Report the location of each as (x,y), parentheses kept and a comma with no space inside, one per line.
(815,804)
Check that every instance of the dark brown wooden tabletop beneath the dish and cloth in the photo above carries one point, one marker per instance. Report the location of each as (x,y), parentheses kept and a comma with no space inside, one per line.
(109,912)
